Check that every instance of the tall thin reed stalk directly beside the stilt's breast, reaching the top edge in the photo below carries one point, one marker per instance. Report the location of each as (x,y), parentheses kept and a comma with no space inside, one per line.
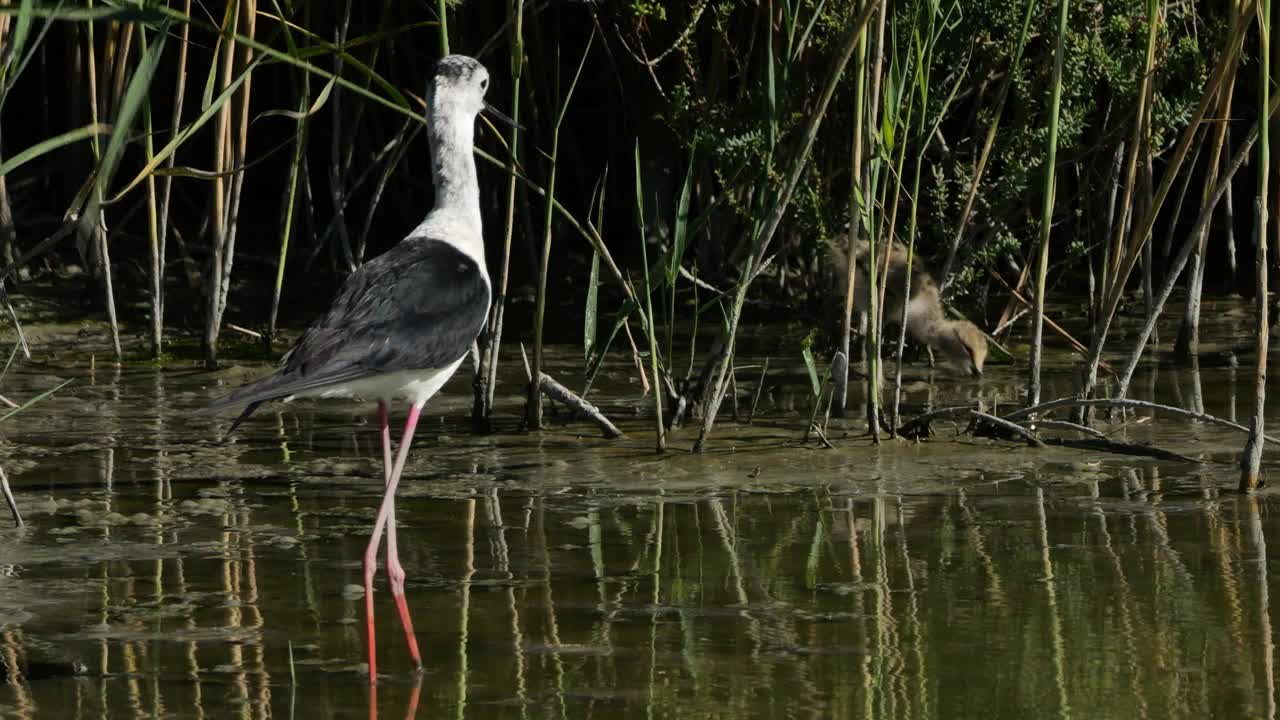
(483,407)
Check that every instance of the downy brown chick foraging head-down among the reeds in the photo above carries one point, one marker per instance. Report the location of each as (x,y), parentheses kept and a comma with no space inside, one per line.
(961,341)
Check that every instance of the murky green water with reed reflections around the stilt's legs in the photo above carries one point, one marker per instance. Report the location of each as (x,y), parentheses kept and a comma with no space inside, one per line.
(560,576)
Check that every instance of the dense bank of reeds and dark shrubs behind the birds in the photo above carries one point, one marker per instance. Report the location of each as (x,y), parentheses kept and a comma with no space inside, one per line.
(222,166)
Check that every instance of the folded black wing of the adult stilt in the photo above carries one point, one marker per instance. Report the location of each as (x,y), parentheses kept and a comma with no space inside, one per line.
(420,306)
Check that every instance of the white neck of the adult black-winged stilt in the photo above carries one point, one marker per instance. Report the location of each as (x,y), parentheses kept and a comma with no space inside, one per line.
(456,216)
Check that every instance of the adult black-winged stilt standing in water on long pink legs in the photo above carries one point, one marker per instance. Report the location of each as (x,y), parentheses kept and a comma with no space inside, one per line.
(404,322)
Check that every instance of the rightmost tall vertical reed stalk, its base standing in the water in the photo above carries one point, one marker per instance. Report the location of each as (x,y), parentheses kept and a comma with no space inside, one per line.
(1251,459)
